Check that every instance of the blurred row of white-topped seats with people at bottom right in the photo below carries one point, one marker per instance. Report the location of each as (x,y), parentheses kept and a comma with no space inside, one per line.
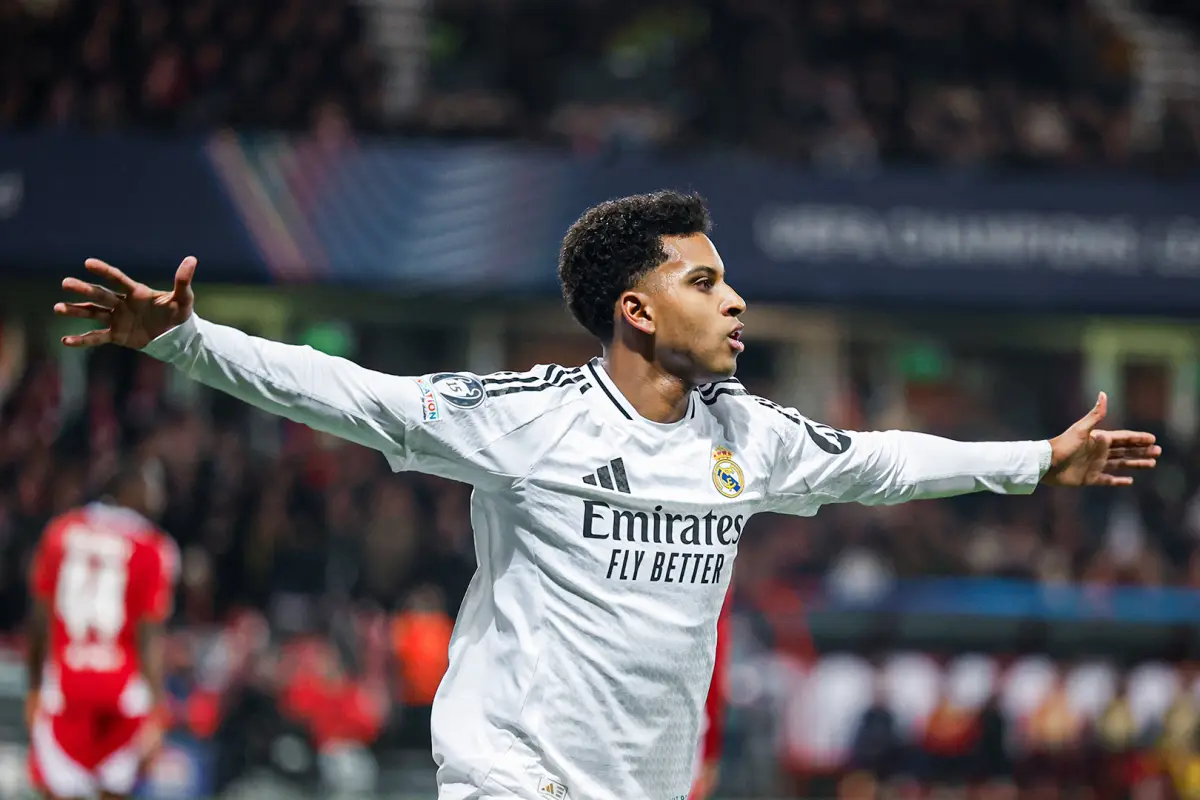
(908,723)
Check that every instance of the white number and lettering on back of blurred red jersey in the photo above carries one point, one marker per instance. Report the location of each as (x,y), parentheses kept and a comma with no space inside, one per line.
(91,598)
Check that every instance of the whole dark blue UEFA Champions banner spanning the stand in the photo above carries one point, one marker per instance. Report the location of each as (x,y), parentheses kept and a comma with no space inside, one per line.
(489,219)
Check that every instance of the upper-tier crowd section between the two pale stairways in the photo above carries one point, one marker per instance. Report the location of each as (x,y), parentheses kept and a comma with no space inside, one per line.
(833,83)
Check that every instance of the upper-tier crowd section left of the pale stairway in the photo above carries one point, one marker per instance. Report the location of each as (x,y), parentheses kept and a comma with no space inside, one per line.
(160,65)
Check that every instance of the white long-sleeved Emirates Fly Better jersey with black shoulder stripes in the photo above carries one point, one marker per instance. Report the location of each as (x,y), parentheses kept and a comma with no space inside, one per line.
(584,651)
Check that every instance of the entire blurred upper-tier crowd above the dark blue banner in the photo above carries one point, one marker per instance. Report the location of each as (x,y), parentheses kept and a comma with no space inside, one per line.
(842,86)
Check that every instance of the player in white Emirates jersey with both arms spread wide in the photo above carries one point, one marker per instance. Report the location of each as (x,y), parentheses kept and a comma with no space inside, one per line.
(609,498)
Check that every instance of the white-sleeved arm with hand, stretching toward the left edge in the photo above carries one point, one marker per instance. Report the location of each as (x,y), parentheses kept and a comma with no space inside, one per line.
(436,424)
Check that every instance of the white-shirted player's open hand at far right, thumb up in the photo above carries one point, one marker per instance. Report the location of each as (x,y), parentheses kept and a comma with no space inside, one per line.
(1084,456)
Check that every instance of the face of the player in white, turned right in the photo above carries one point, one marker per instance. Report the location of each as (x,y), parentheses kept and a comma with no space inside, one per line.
(694,311)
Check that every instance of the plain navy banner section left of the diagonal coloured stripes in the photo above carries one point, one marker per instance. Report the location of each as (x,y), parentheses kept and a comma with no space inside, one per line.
(145,203)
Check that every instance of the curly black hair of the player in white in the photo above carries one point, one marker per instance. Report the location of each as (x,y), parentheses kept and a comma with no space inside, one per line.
(614,245)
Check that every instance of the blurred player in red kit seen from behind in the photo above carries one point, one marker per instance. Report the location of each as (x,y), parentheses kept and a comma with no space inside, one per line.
(103,585)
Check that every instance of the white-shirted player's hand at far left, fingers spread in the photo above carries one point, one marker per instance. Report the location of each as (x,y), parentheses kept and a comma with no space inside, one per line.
(133,317)
